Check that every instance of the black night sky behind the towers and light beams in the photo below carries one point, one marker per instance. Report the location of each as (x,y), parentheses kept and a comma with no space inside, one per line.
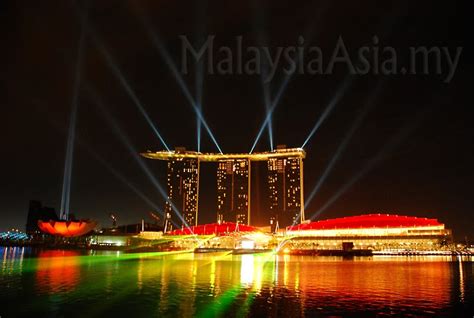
(428,171)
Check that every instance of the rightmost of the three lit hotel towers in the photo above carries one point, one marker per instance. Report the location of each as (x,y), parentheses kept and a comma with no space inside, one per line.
(285,183)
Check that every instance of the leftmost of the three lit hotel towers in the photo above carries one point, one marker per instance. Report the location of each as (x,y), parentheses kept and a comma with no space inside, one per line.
(183,190)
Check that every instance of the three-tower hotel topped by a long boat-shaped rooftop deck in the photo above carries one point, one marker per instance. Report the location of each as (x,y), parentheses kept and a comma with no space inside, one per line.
(285,184)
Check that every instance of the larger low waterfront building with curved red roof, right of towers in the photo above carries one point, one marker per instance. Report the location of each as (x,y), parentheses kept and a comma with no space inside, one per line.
(379,232)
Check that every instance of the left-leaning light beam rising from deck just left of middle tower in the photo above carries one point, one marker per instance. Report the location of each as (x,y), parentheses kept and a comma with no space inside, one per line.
(157,42)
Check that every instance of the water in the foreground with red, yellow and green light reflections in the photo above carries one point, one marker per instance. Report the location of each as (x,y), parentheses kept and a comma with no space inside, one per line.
(60,283)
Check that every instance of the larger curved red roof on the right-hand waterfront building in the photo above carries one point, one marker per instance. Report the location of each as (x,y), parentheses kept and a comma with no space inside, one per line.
(367,221)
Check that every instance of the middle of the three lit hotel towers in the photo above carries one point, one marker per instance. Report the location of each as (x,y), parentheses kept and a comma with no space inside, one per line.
(233,191)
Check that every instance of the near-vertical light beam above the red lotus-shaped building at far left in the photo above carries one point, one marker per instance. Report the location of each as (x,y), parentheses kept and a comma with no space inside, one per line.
(66,190)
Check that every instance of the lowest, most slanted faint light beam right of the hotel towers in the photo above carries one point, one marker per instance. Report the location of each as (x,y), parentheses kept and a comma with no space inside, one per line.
(383,153)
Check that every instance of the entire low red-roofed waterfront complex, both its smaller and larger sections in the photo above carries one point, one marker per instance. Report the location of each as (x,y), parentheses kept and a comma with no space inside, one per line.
(372,232)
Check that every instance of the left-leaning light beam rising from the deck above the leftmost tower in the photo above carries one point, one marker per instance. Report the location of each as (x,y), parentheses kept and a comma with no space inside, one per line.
(121,78)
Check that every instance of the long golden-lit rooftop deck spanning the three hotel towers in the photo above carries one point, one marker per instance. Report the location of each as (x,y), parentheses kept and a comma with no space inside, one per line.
(255,156)
